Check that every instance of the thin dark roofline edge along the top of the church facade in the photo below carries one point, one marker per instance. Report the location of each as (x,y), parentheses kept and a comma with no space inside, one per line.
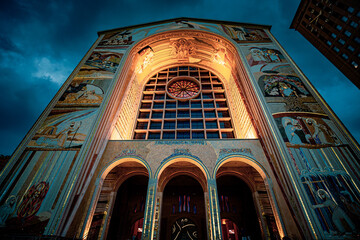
(182,18)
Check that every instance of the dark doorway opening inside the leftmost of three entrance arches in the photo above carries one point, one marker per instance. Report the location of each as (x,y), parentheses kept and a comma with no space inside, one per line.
(128,209)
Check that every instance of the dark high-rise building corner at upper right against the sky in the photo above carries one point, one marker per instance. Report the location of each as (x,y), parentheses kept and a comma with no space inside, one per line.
(333,28)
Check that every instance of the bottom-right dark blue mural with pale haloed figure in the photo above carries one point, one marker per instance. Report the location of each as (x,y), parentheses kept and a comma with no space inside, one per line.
(326,191)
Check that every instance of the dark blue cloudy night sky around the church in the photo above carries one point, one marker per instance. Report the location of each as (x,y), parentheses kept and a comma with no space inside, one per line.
(42,42)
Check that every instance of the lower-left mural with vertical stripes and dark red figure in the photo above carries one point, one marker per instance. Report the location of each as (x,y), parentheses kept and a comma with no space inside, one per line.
(28,209)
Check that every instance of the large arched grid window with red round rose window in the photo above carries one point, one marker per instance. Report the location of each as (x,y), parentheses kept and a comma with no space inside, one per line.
(184,103)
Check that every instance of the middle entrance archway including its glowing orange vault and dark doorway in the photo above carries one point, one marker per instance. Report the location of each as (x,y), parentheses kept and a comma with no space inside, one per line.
(182,185)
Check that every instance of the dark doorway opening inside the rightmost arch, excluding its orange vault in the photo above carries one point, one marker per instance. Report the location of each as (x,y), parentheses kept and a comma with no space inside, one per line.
(236,203)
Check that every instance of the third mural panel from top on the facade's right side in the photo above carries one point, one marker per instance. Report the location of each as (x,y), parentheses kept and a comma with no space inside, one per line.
(282,86)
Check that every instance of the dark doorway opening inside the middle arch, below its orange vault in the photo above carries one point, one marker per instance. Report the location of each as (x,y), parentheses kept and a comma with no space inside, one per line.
(183,210)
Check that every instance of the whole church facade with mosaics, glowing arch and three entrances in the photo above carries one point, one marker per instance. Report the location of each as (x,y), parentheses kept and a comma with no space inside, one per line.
(184,129)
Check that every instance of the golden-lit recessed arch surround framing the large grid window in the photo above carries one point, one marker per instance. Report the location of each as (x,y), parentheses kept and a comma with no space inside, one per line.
(159,55)
